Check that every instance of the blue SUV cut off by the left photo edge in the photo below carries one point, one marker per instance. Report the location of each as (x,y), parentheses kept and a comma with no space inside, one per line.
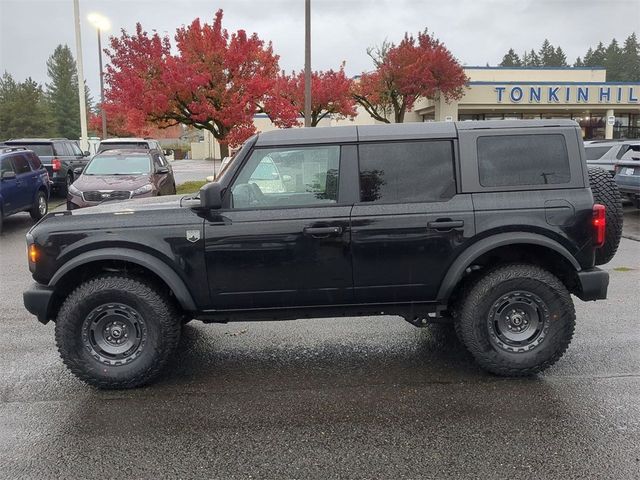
(24,184)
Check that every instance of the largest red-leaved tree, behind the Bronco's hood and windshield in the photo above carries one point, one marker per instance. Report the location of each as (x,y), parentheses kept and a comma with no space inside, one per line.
(215,81)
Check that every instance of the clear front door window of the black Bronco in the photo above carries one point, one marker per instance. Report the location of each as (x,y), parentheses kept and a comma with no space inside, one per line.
(286,177)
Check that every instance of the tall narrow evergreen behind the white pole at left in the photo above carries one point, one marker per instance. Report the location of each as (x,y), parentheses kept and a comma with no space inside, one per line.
(62,92)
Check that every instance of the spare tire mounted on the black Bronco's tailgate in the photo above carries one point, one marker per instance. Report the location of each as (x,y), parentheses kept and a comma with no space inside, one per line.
(605,192)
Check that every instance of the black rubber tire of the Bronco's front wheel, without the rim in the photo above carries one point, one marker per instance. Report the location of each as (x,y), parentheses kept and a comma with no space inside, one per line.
(161,326)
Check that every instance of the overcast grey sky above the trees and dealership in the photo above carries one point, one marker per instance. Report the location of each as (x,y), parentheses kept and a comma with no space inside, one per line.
(476,31)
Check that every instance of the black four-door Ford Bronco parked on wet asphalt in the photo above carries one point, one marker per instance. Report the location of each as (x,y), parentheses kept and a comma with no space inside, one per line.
(491,226)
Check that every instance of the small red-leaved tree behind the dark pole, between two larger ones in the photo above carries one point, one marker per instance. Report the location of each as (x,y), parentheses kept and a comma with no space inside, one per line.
(330,94)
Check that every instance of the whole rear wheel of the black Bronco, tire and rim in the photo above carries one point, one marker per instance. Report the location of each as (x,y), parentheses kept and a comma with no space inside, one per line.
(516,320)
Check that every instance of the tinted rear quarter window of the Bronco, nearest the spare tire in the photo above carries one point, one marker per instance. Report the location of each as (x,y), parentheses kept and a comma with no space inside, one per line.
(523,160)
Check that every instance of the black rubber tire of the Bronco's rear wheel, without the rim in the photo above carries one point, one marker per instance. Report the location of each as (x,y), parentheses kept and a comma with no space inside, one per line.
(473,325)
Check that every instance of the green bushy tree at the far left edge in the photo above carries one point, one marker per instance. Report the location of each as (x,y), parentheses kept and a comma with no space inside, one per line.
(24,110)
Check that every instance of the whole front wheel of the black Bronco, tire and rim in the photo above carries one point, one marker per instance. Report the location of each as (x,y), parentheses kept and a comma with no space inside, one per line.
(116,332)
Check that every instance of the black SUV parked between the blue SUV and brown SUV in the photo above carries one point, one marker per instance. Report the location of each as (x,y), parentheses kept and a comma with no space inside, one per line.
(60,157)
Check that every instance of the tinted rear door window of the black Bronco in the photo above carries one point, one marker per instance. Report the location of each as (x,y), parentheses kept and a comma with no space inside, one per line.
(419,171)
